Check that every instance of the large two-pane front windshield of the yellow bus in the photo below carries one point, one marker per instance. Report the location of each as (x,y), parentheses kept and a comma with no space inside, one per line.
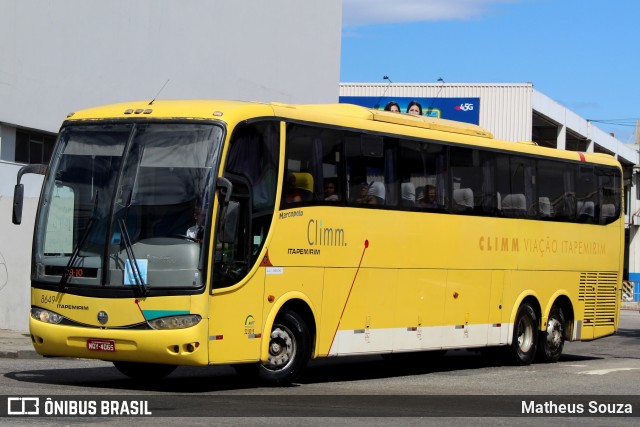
(124,205)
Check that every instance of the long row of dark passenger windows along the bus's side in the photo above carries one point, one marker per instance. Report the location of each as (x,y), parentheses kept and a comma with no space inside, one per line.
(328,166)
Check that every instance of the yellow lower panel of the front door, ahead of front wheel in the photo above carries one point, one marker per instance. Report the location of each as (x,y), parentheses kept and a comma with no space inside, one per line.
(235,320)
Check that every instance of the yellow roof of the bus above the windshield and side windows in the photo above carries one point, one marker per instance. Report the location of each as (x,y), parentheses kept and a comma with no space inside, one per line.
(346,115)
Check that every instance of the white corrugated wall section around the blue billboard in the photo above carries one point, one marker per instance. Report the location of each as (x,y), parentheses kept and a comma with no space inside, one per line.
(505,109)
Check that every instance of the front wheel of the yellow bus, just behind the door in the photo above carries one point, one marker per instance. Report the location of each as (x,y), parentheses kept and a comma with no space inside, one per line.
(289,349)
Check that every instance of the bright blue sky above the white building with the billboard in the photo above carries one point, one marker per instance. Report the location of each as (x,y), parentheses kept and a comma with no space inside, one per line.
(585,54)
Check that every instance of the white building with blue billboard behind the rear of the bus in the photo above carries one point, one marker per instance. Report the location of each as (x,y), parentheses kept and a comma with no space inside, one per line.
(518,112)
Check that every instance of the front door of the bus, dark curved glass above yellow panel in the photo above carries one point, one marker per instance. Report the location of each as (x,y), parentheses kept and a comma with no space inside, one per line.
(237,282)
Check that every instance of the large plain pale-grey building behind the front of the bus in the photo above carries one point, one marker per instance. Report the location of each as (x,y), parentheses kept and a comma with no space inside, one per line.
(61,56)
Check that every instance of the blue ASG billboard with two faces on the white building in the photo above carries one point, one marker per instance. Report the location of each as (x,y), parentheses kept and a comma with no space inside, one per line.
(459,109)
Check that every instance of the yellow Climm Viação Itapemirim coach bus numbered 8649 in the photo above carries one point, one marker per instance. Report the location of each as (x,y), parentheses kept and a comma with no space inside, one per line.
(265,235)
